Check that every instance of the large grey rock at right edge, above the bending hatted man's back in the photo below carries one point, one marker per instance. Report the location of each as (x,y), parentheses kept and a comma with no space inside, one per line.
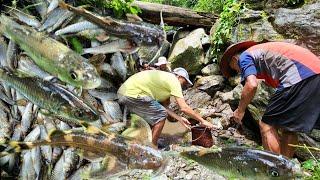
(302,24)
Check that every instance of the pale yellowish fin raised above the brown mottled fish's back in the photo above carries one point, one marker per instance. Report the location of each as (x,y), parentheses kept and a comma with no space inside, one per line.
(139,130)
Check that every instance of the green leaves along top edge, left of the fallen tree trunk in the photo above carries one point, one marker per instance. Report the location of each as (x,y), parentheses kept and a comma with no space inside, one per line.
(119,7)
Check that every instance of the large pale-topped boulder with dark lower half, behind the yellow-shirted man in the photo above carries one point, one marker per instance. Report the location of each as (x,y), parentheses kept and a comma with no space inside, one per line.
(188,52)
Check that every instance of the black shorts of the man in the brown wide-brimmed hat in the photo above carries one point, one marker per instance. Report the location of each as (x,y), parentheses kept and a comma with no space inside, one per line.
(296,108)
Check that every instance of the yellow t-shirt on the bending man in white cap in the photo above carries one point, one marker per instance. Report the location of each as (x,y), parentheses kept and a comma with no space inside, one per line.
(159,85)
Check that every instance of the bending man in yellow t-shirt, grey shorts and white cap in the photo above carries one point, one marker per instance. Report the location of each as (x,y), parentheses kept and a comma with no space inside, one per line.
(144,92)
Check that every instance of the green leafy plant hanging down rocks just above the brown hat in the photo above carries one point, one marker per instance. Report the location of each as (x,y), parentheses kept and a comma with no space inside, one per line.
(228,19)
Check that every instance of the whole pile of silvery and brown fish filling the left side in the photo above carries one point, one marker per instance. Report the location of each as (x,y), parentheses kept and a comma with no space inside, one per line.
(59,114)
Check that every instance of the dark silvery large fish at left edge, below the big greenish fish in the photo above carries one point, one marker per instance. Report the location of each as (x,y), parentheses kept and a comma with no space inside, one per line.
(51,97)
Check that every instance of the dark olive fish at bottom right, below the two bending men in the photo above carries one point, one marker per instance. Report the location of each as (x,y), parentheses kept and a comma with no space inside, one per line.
(244,163)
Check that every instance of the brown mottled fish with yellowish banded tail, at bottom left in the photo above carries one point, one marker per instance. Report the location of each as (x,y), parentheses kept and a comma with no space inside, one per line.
(127,152)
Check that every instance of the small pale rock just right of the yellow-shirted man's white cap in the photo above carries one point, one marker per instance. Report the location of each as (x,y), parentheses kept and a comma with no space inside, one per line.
(210,84)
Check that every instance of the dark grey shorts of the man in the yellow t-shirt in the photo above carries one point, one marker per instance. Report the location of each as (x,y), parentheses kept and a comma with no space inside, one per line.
(147,108)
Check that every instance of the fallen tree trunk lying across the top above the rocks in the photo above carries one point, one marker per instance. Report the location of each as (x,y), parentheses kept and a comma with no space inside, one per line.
(174,16)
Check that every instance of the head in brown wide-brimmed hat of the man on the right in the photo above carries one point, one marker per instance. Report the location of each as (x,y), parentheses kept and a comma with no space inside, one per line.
(229,61)
